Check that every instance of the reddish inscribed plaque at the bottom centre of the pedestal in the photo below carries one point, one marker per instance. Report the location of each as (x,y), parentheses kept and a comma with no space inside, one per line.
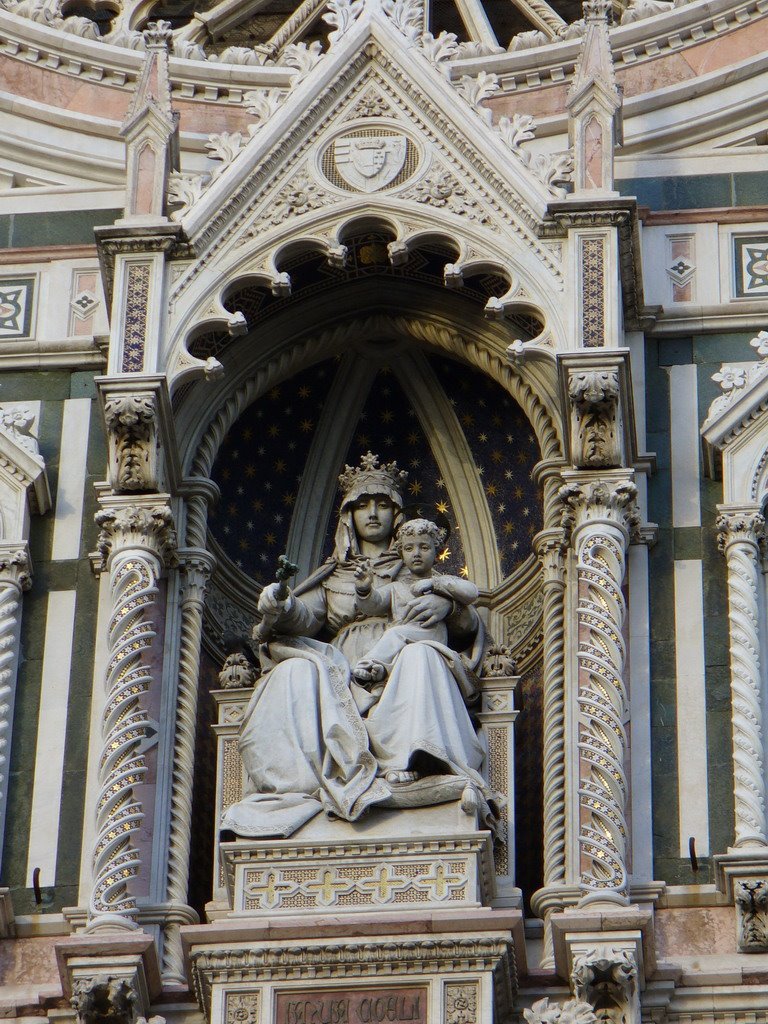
(354,1006)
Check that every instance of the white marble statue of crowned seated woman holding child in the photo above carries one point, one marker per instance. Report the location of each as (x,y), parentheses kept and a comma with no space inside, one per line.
(368,674)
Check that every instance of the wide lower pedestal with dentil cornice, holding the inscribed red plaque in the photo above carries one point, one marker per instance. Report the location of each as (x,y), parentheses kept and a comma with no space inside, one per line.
(420,968)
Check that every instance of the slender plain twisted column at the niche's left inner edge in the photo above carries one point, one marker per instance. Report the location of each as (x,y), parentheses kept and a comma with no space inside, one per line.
(197,566)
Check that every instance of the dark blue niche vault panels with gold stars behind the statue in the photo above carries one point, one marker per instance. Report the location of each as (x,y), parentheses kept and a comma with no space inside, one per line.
(260,465)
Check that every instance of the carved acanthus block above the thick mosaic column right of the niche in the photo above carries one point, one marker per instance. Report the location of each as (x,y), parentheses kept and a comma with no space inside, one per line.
(595,433)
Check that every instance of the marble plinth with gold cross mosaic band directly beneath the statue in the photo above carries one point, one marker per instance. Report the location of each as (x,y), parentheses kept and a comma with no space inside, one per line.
(391,861)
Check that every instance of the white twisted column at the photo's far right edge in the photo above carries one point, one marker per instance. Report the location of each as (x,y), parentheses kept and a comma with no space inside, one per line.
(740,536)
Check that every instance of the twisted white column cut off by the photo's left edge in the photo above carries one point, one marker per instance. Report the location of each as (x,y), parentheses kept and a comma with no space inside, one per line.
(15,579)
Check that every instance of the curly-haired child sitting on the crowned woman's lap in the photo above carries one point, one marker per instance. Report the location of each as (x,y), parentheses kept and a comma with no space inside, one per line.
(418,542)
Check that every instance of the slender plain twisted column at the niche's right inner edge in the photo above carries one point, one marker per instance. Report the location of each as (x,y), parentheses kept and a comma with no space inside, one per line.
(550,547)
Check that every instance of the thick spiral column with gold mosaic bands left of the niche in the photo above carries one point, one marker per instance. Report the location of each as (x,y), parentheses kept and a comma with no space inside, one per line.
(135,540)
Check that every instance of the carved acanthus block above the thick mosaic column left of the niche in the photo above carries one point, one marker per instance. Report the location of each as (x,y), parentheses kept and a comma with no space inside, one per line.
(133,432)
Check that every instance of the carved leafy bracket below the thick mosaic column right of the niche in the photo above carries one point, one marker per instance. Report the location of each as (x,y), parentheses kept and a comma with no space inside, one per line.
(607,977)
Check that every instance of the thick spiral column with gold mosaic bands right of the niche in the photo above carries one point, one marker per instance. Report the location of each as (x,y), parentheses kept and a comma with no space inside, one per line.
(606,515)
